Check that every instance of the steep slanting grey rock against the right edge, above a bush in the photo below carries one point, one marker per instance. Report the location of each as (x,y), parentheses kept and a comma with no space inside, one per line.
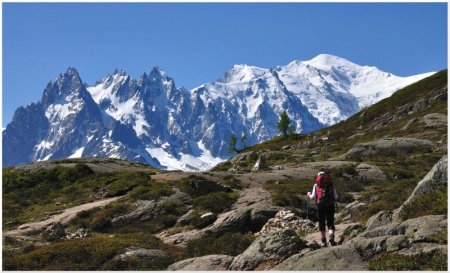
(436,178)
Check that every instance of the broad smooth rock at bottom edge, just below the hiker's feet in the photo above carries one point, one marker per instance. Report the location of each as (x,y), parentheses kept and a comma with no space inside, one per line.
(344,257)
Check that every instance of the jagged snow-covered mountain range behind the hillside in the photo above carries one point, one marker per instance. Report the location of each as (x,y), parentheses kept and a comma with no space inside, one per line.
(149,119)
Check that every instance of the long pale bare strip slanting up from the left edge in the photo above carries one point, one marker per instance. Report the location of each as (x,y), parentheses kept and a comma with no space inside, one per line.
(64,217)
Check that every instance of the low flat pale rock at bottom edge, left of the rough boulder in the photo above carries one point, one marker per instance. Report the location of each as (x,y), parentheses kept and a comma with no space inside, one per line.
(205,263)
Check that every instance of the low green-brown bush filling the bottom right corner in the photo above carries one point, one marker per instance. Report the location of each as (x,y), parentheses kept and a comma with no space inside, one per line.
(387,262)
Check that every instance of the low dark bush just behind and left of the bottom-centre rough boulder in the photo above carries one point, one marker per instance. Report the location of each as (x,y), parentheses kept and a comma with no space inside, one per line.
(228,244)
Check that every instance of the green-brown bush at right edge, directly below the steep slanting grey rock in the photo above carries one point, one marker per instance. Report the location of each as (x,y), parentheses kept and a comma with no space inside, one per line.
(430,203)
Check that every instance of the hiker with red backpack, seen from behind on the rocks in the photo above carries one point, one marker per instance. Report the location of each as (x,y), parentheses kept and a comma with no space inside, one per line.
(325,194)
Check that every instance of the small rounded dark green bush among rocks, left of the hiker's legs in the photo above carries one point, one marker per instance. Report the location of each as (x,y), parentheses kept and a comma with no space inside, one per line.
(215,202)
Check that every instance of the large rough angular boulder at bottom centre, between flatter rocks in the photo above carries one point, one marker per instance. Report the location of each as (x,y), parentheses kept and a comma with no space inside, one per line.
(268,250)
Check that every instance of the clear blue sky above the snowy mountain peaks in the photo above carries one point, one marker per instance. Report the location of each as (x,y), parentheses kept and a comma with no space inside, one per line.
(197,43)
